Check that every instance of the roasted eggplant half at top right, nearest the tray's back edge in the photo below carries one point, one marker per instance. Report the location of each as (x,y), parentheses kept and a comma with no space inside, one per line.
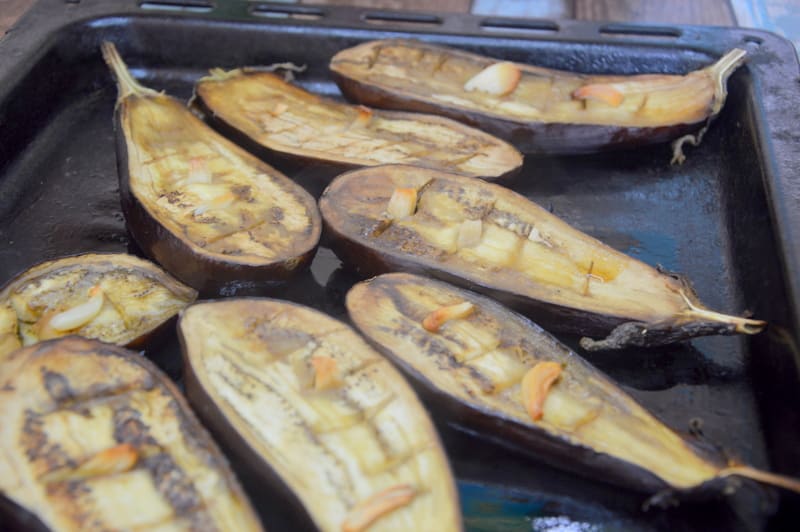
(539,110)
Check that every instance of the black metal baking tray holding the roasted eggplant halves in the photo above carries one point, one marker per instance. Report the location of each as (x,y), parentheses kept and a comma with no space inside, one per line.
(729,217)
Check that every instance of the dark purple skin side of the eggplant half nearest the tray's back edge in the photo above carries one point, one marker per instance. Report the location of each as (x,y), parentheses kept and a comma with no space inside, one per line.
(528,137)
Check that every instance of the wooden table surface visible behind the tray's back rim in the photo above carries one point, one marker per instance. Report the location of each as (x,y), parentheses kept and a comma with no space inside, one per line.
(714,12)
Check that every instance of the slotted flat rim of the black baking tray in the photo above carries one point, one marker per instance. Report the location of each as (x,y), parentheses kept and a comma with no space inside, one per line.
(774,124)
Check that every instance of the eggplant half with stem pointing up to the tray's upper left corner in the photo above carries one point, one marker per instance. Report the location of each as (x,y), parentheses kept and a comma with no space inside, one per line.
(209,212)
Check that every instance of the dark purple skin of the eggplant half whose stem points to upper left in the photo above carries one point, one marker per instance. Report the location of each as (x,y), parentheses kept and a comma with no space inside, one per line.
(210,276)
